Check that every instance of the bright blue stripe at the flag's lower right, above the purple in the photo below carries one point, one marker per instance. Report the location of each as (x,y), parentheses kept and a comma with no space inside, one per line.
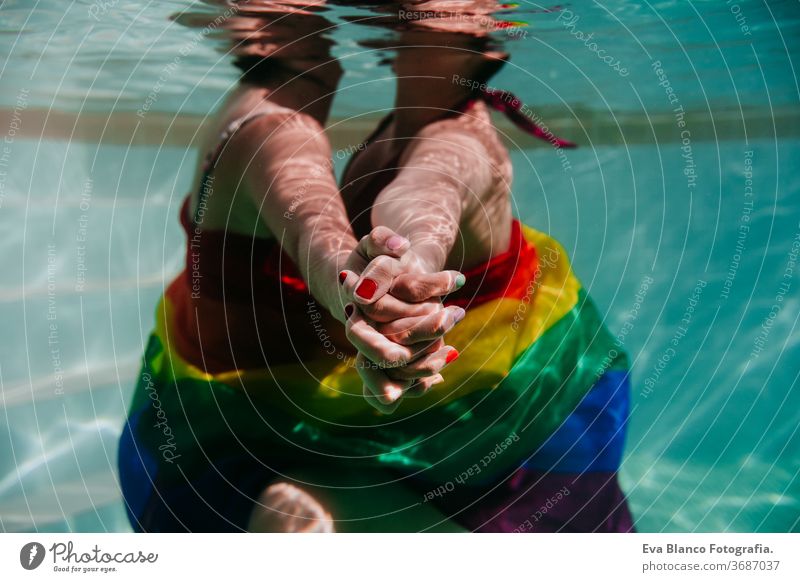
(592,438)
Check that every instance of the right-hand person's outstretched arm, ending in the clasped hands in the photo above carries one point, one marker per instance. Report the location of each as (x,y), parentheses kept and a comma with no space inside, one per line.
(444,175)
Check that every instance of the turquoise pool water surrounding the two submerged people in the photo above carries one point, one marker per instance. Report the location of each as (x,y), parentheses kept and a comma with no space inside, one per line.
(688,247)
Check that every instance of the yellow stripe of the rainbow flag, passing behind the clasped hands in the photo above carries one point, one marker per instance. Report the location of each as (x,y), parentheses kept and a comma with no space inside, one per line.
(490,338)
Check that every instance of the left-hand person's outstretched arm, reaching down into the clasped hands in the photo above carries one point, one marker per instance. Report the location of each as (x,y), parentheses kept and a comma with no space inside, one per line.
(291,179)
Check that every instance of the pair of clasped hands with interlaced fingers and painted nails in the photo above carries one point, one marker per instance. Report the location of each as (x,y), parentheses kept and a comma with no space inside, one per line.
(395,318)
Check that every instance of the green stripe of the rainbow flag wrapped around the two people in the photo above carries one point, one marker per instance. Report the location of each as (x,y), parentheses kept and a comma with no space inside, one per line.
(543,387)
